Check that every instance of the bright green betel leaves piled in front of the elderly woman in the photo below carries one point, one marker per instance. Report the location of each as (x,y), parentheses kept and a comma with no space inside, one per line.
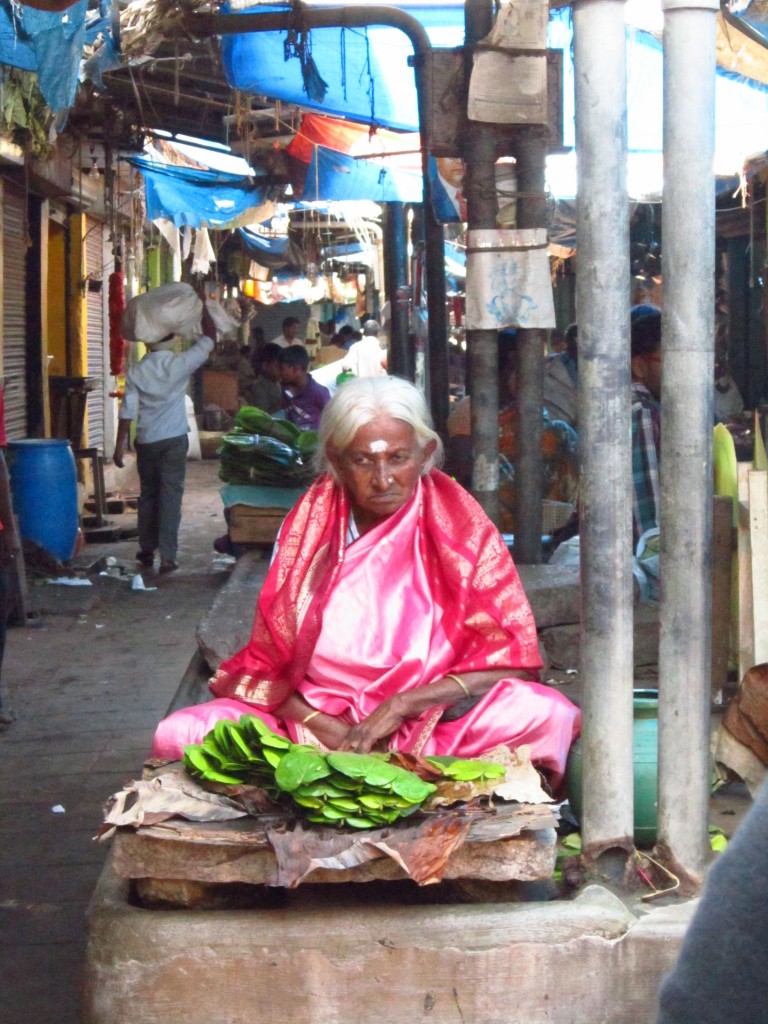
(333,789)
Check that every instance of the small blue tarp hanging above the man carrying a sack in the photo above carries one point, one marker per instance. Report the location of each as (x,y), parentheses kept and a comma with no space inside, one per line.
(198,198)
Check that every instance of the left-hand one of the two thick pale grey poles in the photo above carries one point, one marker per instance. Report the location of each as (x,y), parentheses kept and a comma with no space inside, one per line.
(603,311)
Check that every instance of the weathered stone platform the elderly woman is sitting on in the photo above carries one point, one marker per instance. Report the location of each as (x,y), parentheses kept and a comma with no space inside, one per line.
(376,952)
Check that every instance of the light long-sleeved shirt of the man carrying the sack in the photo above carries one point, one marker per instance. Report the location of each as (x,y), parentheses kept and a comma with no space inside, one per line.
(155,392)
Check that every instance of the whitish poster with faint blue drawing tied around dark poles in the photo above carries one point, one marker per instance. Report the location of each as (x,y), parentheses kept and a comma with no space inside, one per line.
(508,280)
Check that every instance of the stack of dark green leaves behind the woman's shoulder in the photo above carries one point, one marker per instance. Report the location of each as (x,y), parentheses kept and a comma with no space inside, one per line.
(269,452)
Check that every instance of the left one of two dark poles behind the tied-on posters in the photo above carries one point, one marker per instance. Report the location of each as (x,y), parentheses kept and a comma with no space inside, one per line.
(483,346)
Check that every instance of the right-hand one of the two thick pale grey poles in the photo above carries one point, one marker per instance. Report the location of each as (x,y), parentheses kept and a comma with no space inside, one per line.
(688,416)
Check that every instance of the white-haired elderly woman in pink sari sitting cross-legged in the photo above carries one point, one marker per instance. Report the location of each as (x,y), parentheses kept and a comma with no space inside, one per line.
(393,616)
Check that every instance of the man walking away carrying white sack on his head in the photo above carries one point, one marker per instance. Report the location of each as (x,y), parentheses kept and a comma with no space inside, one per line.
(155,393)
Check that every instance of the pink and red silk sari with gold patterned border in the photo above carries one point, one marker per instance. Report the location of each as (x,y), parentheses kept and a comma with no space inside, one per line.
(430,591)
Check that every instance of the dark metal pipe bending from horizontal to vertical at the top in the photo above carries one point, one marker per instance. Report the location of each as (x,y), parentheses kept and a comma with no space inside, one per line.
(203,26)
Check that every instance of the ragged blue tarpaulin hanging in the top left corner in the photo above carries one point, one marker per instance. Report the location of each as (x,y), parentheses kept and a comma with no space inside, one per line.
(50,44)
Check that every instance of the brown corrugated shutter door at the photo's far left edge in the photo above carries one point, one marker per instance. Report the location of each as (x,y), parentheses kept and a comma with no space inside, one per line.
(15,313)
